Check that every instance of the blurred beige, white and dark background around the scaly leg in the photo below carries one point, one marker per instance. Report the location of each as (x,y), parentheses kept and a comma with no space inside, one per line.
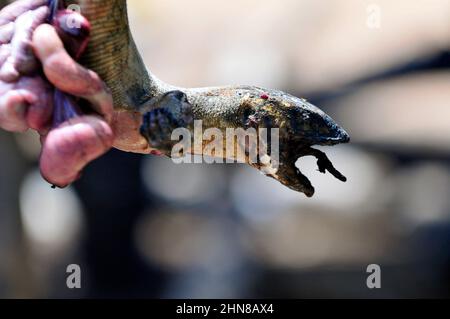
(145,227)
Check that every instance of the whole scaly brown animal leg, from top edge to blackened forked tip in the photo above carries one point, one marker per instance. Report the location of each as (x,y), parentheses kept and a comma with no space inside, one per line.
(113,55)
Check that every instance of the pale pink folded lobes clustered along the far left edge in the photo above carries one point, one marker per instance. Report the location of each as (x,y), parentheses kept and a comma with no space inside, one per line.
(24,101)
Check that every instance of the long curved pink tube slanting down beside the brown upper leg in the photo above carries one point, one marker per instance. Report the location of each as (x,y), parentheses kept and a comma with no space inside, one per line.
(67,75)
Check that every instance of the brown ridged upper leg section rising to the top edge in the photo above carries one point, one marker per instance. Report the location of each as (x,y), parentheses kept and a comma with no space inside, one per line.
(113,54)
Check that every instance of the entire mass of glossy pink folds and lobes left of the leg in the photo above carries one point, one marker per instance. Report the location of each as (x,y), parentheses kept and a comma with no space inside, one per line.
(33,62)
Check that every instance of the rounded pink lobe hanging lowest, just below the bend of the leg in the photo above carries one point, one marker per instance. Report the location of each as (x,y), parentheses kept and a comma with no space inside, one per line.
(70,147)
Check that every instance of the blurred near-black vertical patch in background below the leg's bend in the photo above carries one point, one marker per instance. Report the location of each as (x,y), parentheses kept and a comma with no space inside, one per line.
(113,196)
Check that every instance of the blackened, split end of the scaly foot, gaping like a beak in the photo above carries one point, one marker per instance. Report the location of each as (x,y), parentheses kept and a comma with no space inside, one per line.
(301,125)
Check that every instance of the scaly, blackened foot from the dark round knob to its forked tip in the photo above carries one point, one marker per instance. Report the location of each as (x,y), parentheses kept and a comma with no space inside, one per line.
(299,125)
